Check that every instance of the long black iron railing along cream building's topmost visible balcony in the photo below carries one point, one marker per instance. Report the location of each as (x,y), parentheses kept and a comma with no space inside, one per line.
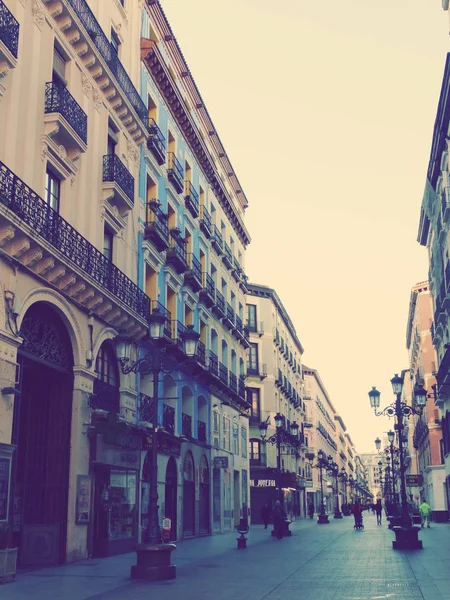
(109,55)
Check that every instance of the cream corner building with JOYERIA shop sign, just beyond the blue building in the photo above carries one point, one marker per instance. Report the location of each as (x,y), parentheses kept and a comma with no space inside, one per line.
(274,385)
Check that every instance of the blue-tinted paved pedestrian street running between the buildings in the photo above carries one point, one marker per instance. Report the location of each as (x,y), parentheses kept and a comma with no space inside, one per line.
(316,563)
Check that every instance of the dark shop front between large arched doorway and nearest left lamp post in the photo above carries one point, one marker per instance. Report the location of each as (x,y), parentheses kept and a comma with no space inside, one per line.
(115,462)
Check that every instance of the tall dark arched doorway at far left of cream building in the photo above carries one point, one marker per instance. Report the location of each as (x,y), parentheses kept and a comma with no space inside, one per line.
(41,431)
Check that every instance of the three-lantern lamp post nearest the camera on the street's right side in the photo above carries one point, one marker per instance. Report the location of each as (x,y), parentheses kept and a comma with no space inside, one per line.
(406,535)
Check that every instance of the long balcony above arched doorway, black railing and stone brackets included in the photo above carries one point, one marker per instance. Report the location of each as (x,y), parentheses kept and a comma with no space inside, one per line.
(41,240)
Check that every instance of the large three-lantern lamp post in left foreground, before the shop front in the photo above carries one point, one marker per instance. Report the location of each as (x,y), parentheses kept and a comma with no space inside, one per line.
(153,557)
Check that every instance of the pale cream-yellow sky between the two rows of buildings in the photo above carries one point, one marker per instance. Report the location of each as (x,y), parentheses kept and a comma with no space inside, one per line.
(326,111)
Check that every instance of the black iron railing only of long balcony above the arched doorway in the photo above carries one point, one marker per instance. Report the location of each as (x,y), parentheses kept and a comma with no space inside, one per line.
(47,223)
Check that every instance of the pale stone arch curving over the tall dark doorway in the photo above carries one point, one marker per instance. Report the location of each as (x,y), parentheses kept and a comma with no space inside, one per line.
(67,315)
